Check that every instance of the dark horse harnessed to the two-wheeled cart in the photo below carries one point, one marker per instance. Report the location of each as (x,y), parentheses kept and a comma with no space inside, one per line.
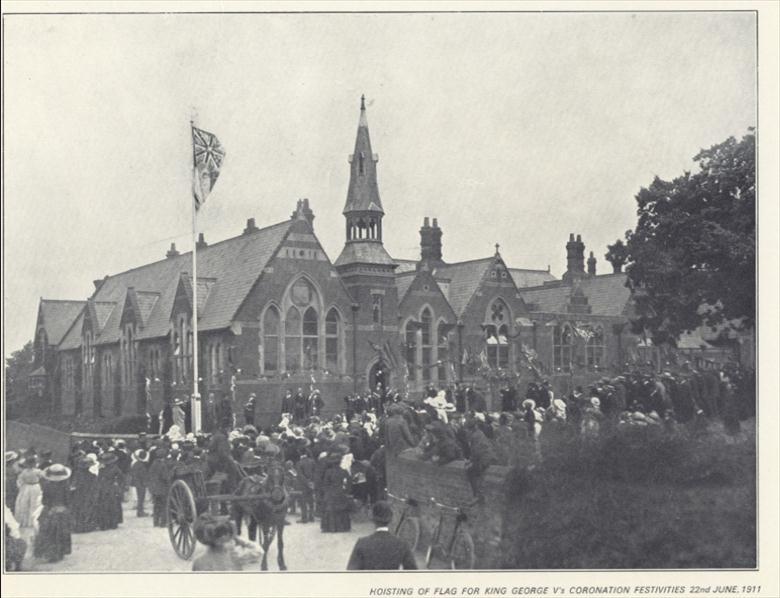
(268,511)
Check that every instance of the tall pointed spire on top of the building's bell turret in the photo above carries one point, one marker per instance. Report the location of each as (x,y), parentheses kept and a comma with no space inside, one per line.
(363,192)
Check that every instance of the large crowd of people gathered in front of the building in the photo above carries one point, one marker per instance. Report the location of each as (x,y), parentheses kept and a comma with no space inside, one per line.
(335,466)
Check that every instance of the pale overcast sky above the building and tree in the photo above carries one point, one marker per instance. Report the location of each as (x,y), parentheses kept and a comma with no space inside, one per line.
(515,129)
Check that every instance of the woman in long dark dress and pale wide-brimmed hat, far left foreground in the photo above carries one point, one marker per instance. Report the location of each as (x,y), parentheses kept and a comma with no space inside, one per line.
(53,541)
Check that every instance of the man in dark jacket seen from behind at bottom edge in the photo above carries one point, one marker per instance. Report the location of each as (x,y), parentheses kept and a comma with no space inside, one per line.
(381,550)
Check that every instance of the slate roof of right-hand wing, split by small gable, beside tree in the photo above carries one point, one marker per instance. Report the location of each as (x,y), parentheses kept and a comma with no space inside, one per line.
(607,295)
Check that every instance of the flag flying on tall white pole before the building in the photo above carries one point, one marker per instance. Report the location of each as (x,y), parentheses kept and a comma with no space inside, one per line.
(207,157)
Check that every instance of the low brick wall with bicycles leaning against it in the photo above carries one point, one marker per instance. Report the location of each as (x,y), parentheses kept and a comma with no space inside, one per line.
(410,476)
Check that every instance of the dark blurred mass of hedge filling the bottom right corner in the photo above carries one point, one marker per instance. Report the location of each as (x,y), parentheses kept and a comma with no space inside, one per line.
(634,499)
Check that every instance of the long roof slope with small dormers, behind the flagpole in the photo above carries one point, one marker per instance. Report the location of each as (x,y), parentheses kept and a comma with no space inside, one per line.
(233,265)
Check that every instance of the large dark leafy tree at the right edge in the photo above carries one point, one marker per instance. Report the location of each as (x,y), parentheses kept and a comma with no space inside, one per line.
(692,255)
